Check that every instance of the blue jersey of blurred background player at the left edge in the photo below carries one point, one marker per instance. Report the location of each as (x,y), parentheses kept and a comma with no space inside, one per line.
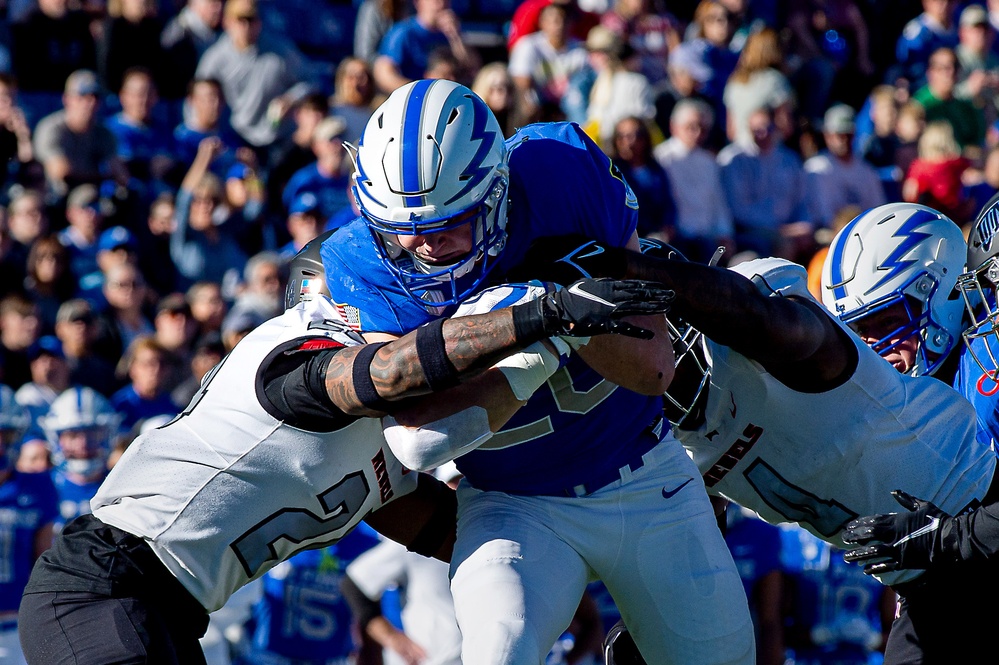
(27,503)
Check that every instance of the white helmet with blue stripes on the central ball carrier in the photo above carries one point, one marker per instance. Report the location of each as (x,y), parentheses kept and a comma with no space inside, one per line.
(432,158)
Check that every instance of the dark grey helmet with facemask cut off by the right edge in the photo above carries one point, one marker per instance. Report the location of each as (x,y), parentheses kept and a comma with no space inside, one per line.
(978,286)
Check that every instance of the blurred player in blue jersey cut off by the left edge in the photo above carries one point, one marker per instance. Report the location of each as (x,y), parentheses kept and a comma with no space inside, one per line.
(27,513)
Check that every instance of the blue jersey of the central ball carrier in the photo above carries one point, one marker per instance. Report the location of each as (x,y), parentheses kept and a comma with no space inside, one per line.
(579,428)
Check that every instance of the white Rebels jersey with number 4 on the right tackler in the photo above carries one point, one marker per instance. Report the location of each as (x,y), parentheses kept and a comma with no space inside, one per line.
(824,459)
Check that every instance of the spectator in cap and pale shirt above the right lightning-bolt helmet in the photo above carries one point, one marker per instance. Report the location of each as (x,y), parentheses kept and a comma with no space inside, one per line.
(837,178)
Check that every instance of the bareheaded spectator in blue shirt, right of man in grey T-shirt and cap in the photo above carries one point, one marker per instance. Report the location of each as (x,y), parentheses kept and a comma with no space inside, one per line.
(143,145)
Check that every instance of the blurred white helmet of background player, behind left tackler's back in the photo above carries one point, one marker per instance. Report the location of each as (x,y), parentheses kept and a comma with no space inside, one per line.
(81,409)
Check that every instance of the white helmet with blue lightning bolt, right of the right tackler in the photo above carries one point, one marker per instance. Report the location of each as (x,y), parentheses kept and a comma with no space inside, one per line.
(900,253)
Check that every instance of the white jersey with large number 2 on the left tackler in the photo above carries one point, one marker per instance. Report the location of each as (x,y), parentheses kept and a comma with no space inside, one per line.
(226,490)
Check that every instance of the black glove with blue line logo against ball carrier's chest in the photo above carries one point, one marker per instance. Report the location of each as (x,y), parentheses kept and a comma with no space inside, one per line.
(565,259)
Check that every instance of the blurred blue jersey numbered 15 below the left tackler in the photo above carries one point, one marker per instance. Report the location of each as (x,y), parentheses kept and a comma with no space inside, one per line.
(302,614)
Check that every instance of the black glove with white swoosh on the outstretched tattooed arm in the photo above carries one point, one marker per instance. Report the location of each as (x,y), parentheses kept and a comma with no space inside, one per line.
(592,307)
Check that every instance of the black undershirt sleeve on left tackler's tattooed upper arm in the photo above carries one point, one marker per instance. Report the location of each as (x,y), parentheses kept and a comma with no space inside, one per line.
(294,386)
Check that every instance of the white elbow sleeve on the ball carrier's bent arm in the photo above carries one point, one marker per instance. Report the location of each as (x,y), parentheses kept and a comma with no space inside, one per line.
(426,447)
